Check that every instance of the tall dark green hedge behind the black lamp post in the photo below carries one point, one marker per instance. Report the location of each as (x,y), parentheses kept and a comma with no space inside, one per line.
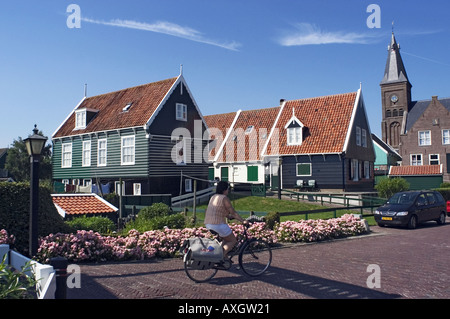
(15,213)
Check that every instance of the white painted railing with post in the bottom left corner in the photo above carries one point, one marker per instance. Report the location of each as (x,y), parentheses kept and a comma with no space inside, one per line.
(44,274)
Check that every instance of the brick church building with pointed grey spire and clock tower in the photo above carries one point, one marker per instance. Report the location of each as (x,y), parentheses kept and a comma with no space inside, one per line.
(418,130)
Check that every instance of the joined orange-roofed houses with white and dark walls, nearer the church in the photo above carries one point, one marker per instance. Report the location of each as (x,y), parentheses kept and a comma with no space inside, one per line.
(321,143)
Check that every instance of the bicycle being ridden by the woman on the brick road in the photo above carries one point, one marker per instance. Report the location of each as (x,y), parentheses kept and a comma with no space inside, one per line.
(255,257)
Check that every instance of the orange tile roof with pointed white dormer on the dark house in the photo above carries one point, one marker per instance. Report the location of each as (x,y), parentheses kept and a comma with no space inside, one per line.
(326,120)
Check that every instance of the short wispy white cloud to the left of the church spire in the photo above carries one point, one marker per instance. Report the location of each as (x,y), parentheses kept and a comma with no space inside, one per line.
(309,34)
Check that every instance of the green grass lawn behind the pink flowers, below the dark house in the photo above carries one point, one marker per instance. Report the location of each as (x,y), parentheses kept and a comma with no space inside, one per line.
(262,205)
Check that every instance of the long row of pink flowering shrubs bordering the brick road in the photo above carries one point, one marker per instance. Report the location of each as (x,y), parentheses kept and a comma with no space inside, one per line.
(91,246)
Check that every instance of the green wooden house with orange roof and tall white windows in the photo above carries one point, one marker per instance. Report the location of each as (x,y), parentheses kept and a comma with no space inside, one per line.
(148,137)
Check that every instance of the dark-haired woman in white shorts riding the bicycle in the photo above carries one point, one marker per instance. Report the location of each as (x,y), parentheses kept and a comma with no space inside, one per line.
(220,208)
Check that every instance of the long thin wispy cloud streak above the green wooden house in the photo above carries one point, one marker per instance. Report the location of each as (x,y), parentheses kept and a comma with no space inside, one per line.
(166,28)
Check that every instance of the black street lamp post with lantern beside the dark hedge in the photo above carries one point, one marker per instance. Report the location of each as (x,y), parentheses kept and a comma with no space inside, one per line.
(35,144)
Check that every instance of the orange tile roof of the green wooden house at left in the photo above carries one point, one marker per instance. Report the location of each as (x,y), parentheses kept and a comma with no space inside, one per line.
(145,98)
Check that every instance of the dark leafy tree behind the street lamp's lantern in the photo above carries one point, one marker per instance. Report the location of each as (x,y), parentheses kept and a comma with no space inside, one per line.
(18,161)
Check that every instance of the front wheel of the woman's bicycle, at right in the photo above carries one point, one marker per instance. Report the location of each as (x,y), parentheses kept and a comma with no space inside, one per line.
(255,257)
